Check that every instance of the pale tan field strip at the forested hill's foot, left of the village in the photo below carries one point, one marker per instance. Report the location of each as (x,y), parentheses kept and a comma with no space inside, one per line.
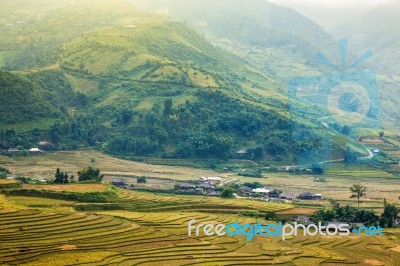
(74,161)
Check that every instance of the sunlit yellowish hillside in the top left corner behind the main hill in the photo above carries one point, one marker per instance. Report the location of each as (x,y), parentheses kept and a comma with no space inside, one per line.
(36,39)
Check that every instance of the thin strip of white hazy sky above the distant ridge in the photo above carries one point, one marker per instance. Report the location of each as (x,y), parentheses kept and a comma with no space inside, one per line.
(333,3)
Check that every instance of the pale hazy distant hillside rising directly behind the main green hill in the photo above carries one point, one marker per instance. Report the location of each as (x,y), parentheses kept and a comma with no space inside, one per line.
(278,40)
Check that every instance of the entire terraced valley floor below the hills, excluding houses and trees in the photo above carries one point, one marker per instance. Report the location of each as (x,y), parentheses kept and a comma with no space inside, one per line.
(143,228)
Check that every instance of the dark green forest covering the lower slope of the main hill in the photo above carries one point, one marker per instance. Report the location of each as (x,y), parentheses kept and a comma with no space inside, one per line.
(213,126)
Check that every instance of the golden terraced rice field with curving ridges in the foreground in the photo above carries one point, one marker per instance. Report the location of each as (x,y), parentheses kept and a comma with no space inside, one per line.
(31,237)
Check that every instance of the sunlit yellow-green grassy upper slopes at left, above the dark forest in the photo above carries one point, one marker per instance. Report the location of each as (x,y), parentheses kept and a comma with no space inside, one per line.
(157,51)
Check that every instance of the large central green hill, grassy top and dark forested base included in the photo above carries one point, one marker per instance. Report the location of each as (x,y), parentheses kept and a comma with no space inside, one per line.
(134,83)
